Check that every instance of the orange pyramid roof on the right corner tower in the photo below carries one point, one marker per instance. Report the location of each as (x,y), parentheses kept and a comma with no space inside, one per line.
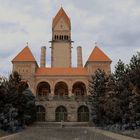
(98,55)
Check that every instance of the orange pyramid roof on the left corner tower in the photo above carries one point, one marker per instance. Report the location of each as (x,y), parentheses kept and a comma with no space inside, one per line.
(24,55)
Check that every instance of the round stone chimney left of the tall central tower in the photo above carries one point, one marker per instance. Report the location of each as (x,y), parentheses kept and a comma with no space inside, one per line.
(43,57)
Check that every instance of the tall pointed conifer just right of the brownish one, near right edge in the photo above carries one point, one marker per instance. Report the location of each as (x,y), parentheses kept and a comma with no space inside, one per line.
(122,91)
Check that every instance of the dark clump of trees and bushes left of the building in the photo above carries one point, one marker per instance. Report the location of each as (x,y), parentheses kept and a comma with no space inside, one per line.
(18,103)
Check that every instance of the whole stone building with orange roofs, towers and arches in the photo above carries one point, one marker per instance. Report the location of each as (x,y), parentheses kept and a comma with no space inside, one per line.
(61,90)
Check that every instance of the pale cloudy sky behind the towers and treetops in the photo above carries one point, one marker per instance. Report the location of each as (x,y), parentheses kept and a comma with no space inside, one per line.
(113,24)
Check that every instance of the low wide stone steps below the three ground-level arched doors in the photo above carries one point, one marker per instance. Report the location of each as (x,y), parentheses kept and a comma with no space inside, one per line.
(58,124)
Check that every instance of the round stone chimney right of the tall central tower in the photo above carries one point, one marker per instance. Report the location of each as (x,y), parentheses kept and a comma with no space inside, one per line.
(79,57)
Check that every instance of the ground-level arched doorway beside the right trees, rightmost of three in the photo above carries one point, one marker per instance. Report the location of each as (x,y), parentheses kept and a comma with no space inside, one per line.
(83,114)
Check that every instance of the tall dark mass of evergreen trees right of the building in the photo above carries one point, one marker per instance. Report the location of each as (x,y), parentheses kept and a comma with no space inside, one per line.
(115,99)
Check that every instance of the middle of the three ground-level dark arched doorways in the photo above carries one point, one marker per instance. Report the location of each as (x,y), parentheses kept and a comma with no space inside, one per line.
(61,114)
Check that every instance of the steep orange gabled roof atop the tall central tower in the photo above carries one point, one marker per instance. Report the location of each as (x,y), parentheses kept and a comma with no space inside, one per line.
(61,13)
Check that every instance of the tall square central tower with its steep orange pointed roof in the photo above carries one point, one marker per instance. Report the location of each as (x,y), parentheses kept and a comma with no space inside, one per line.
(61,40)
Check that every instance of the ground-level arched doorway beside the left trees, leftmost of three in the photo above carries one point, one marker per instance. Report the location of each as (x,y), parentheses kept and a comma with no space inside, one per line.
(40,113)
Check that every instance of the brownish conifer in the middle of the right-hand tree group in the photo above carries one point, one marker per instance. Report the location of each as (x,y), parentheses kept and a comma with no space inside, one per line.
(112,105)
